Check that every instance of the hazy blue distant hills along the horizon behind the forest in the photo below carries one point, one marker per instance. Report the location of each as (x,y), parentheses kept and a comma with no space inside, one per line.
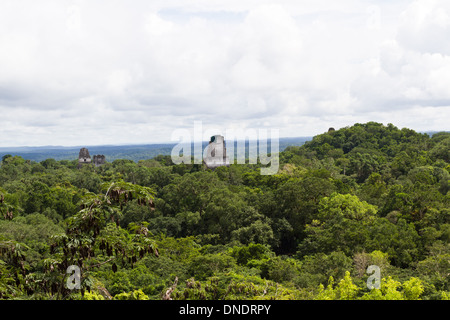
(131,152)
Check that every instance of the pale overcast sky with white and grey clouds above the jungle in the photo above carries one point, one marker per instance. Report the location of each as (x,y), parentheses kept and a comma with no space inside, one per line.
(75,72)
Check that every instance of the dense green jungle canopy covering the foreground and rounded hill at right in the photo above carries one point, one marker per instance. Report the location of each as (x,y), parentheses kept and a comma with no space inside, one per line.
(364,195)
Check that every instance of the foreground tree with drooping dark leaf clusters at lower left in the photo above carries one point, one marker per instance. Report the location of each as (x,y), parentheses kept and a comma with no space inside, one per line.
(93,238)
